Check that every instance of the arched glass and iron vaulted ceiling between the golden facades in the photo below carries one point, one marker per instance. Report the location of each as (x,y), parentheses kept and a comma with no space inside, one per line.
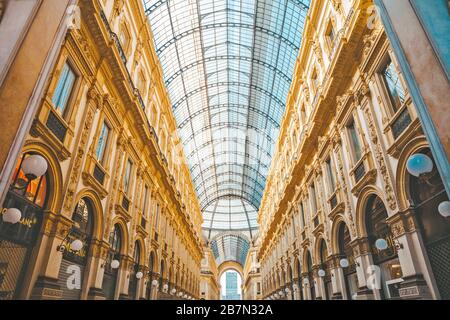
(228,68)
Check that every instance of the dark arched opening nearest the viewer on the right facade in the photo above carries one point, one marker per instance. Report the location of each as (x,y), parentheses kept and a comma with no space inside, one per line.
(426,193)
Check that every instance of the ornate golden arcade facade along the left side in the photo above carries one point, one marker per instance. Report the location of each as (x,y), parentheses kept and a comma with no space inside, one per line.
(113,213)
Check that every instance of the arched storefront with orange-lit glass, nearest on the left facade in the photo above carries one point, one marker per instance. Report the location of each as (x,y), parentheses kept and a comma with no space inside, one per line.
(22,214)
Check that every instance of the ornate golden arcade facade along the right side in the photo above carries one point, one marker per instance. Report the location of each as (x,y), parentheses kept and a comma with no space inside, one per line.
(341,217)
